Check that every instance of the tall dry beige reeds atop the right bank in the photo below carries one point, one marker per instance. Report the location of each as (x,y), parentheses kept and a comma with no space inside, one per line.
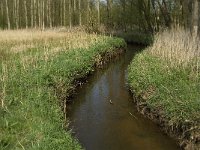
(178,47)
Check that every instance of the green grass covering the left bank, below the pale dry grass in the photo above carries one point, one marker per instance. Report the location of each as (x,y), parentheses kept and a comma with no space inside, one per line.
(30,115)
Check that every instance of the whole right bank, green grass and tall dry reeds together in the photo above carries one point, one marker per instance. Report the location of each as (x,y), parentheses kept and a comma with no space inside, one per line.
(166,77)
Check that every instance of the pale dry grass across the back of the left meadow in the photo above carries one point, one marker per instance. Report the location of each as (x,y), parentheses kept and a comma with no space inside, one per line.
(48,43)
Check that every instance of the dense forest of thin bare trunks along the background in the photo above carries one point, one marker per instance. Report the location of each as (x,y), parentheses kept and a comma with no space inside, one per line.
(125,15)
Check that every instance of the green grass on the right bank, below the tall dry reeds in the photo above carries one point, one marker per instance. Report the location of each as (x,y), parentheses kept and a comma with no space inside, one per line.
(172,92)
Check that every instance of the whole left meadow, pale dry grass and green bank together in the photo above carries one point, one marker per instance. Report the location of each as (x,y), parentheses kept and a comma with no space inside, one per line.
(37,73)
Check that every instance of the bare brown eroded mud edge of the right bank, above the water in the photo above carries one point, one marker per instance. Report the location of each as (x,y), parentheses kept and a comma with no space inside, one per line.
(180,132)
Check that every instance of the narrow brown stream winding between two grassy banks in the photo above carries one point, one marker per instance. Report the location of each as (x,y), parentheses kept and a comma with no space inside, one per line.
(103,115)
